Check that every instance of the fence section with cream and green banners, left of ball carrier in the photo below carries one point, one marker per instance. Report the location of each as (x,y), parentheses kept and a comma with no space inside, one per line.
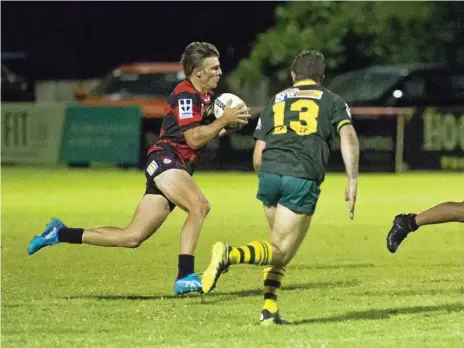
(49,133)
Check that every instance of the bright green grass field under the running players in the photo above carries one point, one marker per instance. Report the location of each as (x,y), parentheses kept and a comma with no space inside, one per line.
(343,289)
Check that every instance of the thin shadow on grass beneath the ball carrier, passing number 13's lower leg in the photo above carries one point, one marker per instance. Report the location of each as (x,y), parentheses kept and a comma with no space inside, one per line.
(223,295)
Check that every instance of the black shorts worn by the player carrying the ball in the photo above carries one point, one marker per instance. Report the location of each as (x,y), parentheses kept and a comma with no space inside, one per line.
(161,160)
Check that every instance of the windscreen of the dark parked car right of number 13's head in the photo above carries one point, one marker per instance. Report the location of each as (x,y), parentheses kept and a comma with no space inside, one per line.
(362,86)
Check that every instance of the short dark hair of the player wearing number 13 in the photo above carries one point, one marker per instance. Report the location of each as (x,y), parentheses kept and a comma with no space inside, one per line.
(309,65)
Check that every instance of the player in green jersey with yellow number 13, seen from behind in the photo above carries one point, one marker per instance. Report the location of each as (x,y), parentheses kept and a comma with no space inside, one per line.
(293,139)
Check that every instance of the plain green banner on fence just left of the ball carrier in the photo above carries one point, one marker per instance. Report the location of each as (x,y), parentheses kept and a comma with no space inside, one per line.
(102,134)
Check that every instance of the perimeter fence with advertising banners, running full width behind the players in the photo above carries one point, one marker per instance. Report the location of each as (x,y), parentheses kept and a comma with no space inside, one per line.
(391,139)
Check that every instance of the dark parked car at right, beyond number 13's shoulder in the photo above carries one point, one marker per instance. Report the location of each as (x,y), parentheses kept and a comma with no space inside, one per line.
(401,85)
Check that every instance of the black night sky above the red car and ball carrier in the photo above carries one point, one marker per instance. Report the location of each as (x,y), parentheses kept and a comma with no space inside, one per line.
(87,39)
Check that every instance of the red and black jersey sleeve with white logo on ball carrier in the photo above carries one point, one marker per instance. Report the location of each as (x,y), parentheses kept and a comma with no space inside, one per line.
(186,107)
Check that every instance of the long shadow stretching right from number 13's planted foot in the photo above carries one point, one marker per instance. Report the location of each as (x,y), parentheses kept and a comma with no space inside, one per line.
(378,314)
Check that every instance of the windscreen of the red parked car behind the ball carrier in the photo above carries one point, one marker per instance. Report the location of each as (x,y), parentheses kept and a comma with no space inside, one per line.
(132,84)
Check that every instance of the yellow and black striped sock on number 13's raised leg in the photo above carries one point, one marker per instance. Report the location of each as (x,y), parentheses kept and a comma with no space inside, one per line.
(257,253)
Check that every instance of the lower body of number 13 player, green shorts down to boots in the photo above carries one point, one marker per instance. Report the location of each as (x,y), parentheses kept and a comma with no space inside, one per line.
(297,199)
